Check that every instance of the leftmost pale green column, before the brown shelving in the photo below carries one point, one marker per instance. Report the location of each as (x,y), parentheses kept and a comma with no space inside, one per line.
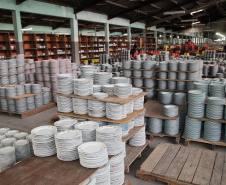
(17,31)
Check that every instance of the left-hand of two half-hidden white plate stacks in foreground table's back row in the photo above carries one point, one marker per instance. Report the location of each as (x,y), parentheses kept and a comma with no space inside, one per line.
(66,124)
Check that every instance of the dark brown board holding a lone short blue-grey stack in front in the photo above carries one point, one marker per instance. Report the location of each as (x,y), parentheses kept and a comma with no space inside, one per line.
(155,109)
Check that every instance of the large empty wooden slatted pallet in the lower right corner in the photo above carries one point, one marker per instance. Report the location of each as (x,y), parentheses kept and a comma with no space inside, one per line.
(179,165)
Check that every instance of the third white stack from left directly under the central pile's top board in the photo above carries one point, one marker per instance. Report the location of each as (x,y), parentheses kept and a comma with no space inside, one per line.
(96,108)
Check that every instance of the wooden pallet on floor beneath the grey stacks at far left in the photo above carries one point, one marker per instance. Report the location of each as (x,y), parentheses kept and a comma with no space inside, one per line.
(31,112)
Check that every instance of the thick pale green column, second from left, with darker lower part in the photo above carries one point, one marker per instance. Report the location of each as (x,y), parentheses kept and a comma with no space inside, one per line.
(74,39)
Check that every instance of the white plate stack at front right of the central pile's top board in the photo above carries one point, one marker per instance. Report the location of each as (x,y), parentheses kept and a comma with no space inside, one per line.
(123,90)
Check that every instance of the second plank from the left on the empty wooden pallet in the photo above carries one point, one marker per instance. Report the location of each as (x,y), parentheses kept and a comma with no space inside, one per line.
(166,160)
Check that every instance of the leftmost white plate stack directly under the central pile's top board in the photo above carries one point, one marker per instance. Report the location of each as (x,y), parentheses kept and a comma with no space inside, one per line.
(64,104)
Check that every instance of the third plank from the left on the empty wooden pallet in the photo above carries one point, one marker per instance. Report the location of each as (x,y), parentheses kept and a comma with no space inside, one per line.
(178,163)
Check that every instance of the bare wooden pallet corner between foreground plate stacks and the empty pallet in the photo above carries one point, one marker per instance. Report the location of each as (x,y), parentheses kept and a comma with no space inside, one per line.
(132,153)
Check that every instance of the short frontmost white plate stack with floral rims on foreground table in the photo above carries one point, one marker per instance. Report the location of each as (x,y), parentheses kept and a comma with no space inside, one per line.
(93,154)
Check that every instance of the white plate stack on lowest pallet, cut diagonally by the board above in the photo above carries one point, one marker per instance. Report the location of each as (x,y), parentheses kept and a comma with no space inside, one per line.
(139,139)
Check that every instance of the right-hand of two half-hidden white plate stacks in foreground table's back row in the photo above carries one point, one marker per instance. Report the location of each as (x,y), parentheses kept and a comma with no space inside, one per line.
(88,129)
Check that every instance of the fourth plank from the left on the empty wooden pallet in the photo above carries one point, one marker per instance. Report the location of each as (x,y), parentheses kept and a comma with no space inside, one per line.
(190,166)
